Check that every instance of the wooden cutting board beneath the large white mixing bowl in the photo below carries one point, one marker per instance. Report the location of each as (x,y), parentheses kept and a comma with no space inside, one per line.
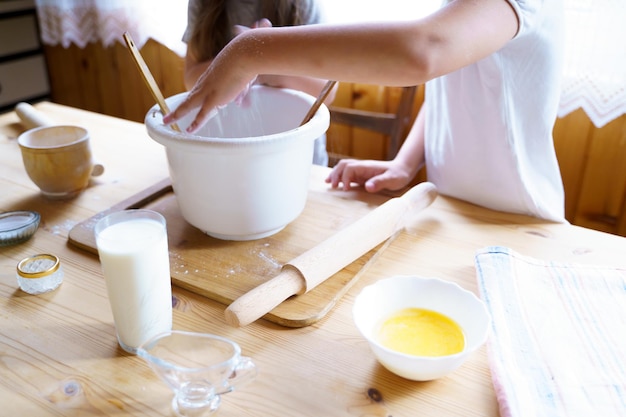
(224,270)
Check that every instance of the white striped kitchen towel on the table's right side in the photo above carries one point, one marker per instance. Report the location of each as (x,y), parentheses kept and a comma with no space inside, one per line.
(558,339)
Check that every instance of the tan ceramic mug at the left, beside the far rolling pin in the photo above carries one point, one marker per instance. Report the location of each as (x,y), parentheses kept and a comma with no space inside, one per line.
(58,159)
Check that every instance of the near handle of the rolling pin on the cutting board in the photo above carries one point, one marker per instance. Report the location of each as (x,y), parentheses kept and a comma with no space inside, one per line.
(262,299)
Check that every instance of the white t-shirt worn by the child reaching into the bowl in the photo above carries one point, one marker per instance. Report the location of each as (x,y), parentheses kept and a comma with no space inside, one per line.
(489,125)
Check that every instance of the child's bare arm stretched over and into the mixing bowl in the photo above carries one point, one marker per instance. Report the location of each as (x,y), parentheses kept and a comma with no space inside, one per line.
(390,53)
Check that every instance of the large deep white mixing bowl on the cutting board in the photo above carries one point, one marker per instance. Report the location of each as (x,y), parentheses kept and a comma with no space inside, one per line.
(245,174)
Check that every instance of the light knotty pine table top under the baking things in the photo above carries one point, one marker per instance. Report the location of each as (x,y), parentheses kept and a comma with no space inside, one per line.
(59,354)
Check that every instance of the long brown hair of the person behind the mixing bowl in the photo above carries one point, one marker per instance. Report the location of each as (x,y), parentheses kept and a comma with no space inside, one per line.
(213,29)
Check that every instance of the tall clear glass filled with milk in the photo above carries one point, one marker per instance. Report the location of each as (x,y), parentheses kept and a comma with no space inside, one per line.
(132,245)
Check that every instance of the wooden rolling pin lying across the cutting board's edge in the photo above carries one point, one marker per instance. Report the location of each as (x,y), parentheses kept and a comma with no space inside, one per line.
(324,260)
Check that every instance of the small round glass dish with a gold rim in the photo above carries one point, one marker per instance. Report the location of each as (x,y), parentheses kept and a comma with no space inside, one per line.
(39,274)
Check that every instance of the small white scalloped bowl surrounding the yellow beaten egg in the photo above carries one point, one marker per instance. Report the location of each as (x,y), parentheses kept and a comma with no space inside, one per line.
(382,299)
